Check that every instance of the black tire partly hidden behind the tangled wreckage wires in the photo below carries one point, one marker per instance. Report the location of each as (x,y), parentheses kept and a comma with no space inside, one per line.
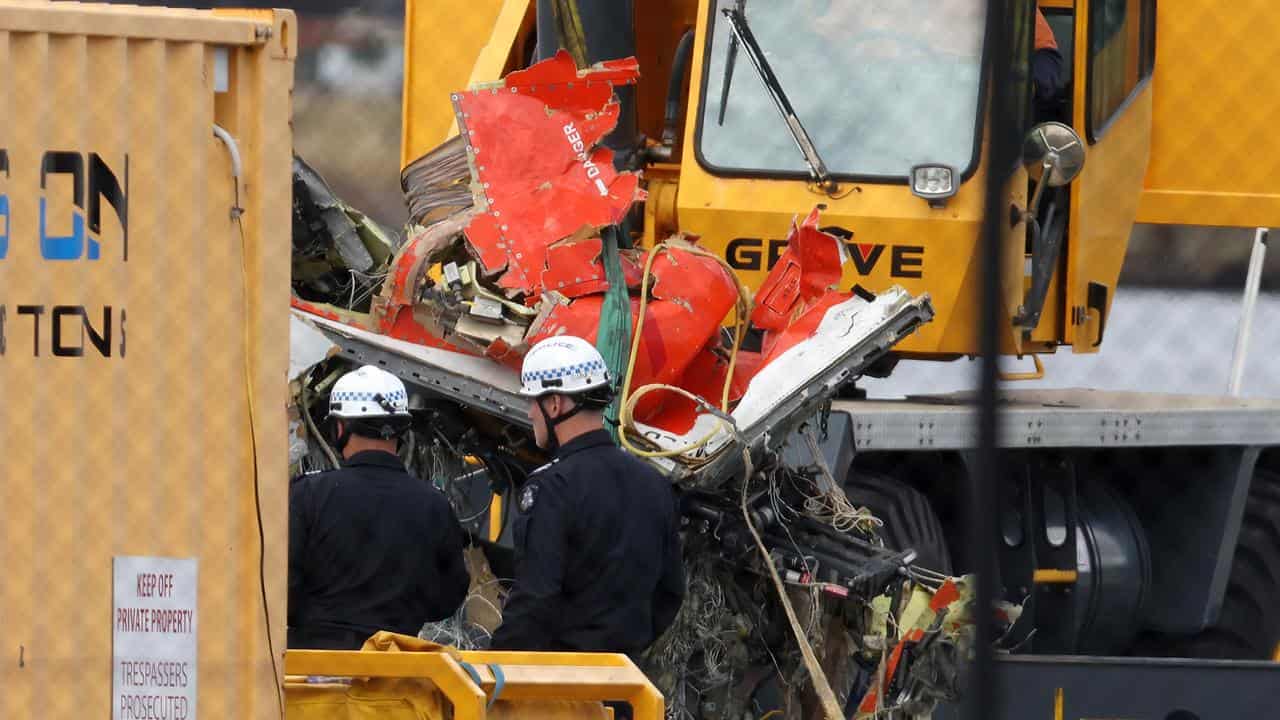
(908,517)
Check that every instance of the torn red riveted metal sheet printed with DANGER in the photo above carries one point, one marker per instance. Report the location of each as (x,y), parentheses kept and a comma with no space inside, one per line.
(534,145)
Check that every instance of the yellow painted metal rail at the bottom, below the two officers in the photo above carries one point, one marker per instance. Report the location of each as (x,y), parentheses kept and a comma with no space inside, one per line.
(528,676)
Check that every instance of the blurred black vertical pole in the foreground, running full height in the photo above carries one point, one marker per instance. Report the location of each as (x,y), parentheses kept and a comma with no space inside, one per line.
(984,691)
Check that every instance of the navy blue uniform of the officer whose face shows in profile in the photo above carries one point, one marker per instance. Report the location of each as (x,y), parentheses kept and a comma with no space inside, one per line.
(598,566)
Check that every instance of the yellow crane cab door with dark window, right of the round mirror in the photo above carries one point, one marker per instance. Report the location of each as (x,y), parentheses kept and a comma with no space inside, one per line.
(1113,67)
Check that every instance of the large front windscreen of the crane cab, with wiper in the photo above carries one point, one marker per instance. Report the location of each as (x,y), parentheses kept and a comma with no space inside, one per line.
(880,86)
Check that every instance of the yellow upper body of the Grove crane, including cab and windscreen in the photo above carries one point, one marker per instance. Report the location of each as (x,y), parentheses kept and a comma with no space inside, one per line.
(892,90)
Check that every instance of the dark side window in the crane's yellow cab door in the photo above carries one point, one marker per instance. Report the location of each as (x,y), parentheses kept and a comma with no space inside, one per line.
(1122,54)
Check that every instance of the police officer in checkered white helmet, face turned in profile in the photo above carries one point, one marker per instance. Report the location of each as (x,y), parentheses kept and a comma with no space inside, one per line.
(598,563)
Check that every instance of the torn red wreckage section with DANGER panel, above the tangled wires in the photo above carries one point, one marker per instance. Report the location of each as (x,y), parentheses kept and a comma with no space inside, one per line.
(527,258)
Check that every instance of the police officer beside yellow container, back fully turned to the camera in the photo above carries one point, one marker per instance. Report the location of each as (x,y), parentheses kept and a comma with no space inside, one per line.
(371,546)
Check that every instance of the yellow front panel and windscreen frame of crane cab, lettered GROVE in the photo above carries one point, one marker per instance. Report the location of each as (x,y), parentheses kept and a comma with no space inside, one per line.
(883,218)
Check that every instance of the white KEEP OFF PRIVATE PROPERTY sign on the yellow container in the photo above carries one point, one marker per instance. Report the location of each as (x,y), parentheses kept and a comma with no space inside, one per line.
(154,640)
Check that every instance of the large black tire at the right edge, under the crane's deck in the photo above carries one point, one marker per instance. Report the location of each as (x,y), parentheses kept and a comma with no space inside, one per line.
(1249,627)
